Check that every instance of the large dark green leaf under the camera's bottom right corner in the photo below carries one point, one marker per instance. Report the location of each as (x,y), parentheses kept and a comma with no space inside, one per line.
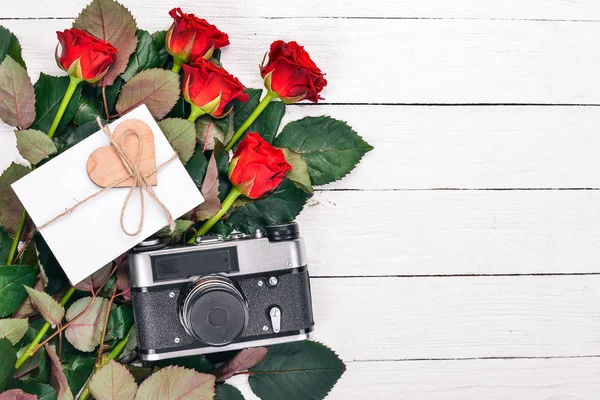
(296,371)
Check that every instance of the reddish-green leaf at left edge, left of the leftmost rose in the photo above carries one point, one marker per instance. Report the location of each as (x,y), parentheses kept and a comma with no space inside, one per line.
(17,100)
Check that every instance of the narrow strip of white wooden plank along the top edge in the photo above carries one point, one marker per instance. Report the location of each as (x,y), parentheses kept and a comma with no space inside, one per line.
(511,9)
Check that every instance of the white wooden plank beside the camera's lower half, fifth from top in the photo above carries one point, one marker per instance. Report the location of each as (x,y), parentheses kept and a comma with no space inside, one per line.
(466,317)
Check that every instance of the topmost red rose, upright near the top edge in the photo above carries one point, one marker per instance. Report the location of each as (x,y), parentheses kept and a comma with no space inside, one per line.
(191,37)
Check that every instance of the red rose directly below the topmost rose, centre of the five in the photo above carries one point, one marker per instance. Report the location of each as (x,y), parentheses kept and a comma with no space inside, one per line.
(210,88)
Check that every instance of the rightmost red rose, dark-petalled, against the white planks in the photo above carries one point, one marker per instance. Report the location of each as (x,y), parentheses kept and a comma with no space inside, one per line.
(292,74)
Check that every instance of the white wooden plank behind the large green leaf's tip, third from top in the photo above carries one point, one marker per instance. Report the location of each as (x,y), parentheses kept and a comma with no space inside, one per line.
(470,147)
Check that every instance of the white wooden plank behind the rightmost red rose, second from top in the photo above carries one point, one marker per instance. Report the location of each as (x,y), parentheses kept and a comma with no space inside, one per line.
(426,61)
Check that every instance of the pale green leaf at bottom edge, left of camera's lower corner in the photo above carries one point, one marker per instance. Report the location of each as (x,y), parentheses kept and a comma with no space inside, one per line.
(112,382)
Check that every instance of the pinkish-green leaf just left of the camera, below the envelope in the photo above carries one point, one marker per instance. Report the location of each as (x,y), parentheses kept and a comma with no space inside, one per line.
(84,334)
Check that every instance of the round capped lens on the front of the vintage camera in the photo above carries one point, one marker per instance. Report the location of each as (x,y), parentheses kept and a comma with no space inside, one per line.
(214,311)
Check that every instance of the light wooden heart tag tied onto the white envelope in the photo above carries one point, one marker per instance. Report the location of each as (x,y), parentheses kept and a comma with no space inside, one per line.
(104,166)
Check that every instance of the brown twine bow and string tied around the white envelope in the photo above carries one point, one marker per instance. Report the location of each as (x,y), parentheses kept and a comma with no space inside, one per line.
(140,181)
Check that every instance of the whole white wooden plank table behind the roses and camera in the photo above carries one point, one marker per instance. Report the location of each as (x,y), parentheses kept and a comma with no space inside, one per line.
(460,260)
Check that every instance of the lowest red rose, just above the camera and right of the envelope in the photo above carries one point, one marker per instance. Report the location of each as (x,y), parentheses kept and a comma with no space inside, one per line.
(257,167)
